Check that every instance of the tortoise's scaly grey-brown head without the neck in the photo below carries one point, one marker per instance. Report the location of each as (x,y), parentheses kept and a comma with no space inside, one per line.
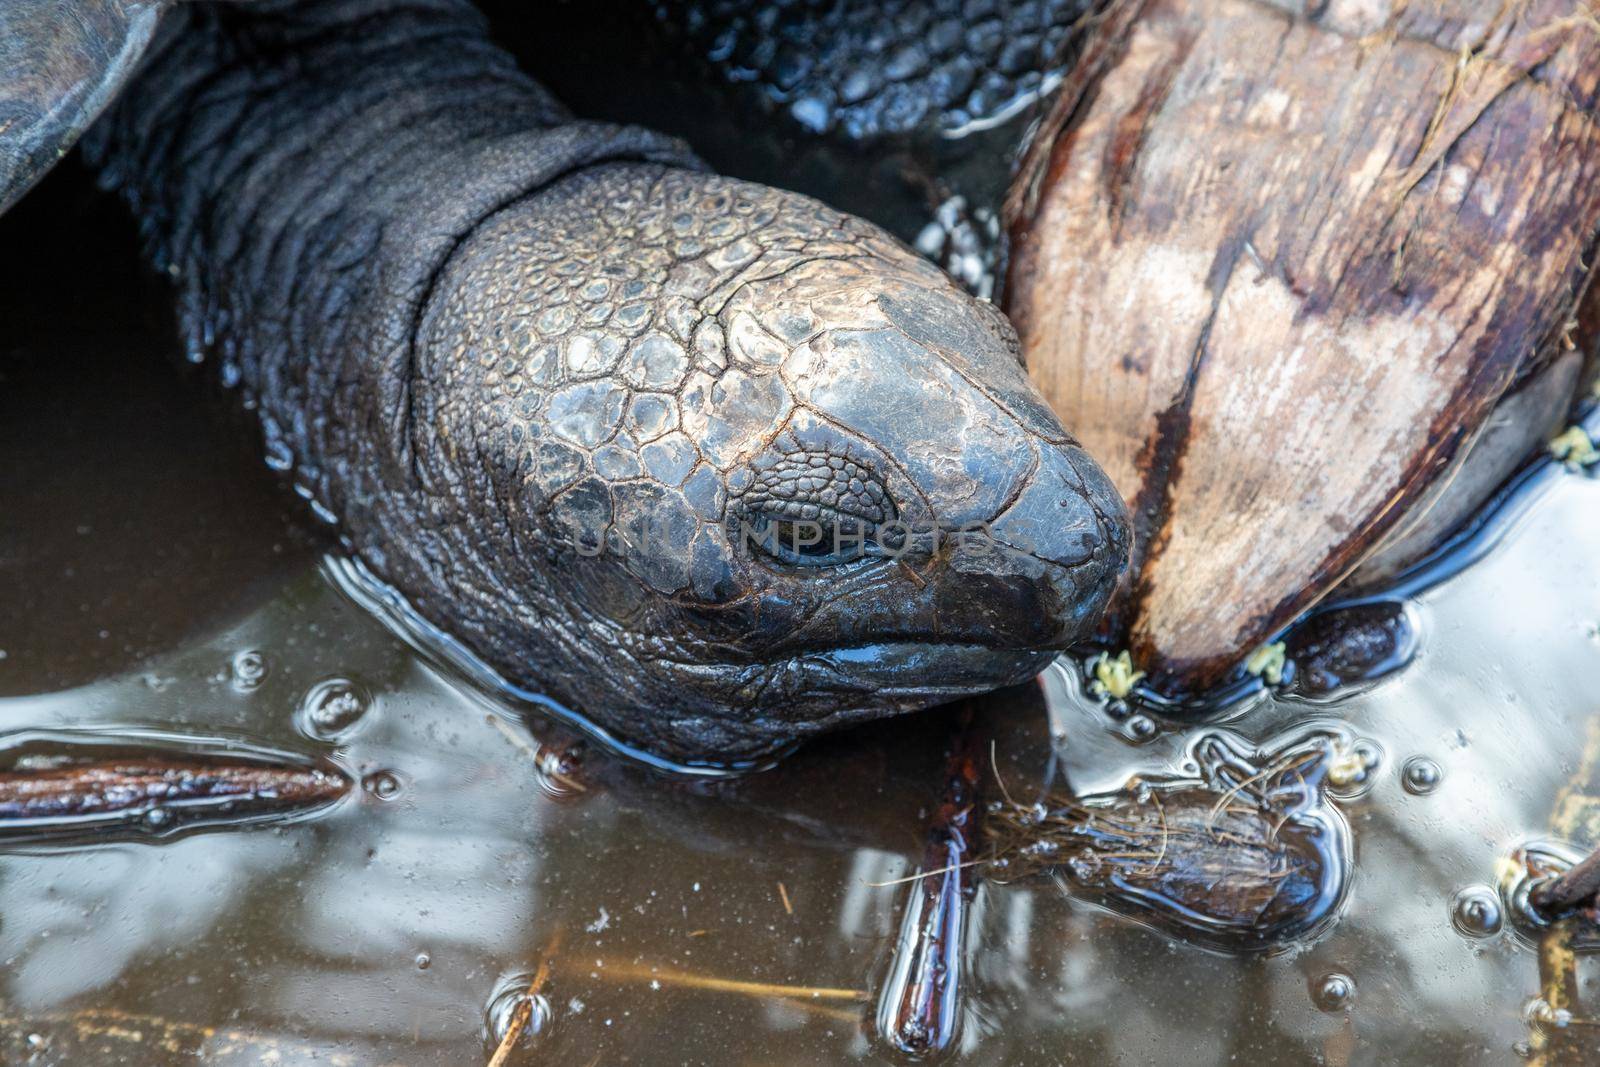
(748,470)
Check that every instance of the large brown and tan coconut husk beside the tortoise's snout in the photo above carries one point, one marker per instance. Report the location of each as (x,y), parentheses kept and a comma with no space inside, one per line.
(1276,266)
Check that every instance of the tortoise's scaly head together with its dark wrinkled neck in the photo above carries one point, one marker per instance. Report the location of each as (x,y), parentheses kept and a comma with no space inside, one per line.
(585,406)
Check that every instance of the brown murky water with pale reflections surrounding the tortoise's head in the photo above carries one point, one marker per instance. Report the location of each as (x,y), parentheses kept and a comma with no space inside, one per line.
(145,556)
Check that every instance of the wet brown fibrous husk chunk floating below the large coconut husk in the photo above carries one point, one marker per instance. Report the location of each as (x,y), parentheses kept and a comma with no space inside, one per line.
(1247,855)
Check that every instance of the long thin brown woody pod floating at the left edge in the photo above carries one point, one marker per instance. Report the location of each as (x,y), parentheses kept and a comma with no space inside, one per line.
(86,796)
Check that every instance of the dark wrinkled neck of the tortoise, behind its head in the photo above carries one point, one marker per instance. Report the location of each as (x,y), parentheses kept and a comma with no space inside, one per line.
(305,172)
